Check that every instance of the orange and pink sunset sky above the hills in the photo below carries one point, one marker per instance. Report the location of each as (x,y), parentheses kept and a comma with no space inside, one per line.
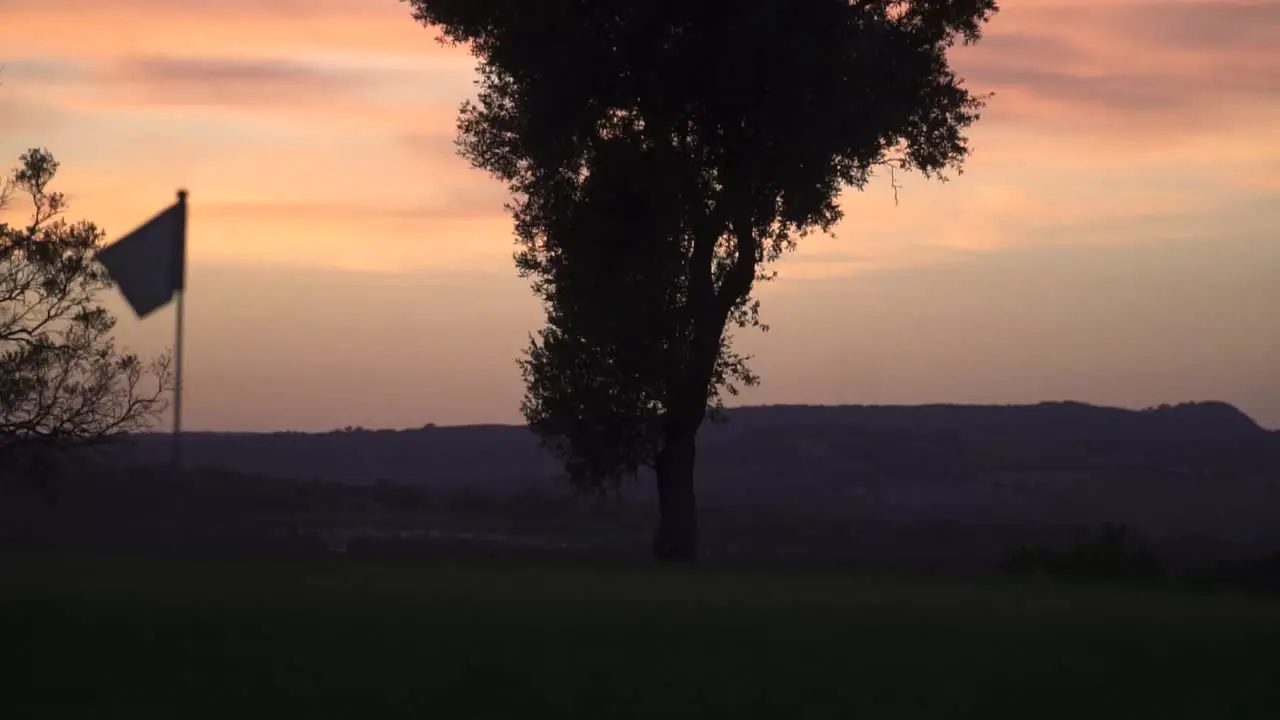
(1116,238)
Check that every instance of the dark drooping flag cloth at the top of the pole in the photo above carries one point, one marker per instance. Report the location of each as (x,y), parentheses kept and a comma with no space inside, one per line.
(149,265)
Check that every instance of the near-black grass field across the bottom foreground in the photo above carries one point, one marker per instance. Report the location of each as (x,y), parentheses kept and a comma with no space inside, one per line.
(342,637)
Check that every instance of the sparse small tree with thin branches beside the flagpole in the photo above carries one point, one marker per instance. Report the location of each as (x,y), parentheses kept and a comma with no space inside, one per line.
(63,382)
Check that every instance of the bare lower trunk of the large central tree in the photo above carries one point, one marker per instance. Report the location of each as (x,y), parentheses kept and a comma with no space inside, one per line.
(676,540)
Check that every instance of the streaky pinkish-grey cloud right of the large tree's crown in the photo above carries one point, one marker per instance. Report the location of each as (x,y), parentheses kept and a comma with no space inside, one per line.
(1121,67)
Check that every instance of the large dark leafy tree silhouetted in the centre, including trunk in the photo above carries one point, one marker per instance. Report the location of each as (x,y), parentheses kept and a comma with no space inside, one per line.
(661,156)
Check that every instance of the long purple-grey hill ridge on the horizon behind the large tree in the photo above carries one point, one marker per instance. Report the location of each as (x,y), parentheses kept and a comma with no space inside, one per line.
(771,450)
